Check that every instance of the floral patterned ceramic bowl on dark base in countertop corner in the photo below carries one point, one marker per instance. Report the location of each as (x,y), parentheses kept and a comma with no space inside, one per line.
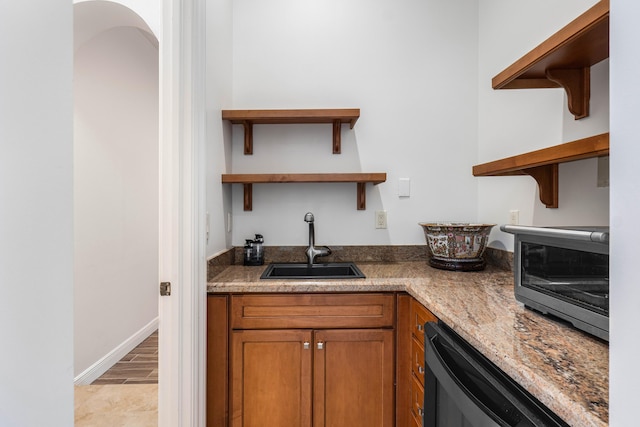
(457,245)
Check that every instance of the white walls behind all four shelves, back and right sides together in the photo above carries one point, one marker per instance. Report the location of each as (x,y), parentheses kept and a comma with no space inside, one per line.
(413,68)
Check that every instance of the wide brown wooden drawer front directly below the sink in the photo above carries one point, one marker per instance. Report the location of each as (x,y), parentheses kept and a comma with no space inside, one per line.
(312,311)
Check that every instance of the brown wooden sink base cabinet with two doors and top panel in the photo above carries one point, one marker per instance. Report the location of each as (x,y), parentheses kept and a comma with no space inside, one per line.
(304,360)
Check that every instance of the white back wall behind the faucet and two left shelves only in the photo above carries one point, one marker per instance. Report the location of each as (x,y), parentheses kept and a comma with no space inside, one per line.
(409,65)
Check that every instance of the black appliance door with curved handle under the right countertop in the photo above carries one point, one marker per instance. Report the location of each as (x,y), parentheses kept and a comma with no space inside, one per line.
(464,389)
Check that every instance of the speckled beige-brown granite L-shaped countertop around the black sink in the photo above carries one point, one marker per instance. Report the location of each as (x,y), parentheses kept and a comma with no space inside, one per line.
(565,369)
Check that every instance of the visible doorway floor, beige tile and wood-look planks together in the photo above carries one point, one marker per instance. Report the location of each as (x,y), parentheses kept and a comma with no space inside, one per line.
(126,395)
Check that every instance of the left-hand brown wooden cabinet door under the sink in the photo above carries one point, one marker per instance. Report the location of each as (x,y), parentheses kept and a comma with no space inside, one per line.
(271,378)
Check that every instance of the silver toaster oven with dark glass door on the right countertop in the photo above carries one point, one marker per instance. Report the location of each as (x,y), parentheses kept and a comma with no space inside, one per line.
(564,272)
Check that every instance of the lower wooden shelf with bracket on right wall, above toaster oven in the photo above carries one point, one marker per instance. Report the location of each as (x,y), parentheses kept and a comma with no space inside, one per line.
(542,164)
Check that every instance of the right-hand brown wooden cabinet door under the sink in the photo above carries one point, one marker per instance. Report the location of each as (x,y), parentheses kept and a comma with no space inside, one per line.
(354,378)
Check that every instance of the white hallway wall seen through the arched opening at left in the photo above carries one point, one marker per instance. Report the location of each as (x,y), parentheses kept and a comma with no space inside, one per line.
(115,191)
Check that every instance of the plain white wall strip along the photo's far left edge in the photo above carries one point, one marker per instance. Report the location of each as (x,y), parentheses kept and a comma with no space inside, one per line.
(36,212)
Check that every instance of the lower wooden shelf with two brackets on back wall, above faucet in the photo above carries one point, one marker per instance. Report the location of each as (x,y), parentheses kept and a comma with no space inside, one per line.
(249,179)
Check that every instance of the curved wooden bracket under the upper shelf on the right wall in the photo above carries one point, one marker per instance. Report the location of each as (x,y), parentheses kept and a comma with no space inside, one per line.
(577,84)
